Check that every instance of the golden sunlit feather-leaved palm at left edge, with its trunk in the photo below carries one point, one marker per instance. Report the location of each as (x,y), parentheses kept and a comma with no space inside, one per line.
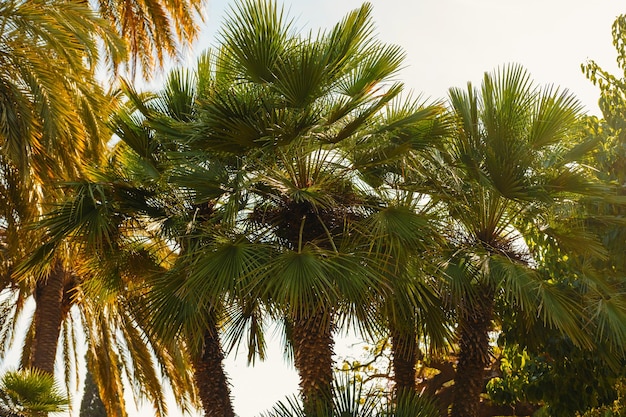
(49,96)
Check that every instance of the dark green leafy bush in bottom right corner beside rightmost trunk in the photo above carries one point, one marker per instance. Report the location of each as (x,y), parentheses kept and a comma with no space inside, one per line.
(556,376)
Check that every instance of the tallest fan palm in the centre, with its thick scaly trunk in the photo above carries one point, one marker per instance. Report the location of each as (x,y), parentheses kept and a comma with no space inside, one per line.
(293,106)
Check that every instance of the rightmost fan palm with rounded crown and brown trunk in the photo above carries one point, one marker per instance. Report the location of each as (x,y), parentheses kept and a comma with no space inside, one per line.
(509,182)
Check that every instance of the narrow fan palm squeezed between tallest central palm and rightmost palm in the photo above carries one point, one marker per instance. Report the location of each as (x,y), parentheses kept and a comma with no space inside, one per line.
(403,230)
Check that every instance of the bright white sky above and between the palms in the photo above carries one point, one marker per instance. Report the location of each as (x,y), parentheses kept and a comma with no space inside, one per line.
(448,43)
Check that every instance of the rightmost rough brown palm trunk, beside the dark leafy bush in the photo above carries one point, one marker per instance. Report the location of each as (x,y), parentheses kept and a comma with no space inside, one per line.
(474,326)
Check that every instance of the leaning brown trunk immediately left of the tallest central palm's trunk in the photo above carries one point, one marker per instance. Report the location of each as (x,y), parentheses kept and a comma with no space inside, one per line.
(211,380)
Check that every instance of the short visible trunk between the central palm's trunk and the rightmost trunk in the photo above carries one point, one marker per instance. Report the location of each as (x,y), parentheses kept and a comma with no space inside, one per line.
(404,355)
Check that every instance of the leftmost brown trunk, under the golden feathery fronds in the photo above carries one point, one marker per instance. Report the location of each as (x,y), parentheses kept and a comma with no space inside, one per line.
(49,313)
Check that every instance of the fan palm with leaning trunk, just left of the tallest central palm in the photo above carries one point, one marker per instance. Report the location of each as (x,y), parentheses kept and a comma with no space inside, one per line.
(160,191)
